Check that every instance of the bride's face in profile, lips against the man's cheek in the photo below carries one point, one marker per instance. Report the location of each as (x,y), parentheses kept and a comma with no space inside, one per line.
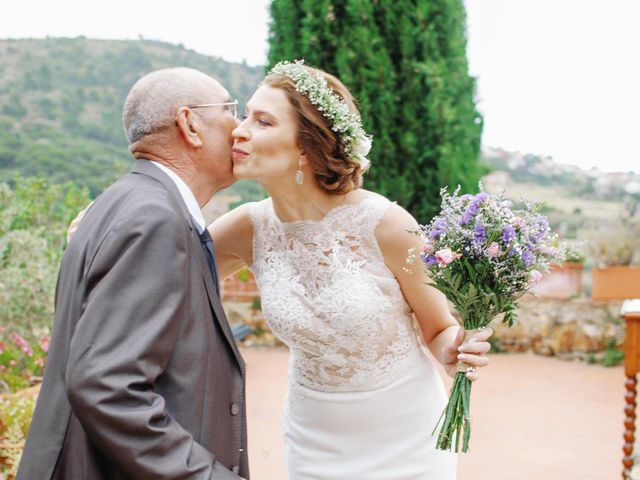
(265,143)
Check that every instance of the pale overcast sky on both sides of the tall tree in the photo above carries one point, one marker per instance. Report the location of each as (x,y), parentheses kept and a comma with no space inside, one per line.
(555,77)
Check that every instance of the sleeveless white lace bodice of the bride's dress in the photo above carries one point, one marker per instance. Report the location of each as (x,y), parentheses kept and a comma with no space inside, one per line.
(327,293)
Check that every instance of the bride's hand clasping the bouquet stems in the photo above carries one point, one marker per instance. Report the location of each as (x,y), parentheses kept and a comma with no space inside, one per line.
(472,353)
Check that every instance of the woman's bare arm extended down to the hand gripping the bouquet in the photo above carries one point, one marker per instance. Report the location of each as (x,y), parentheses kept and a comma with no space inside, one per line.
(440,330)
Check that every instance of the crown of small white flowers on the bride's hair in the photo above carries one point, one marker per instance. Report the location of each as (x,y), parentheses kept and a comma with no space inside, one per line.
(346,124)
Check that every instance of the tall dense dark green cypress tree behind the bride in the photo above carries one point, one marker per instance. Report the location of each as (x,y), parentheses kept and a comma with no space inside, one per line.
(405,62)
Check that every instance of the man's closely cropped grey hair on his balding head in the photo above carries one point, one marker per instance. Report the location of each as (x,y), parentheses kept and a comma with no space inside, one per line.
(152,102)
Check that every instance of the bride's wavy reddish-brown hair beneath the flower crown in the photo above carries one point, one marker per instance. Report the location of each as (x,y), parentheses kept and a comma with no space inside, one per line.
(332,169)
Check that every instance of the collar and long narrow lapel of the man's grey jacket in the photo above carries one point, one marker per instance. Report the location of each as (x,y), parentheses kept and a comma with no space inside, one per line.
(144,167)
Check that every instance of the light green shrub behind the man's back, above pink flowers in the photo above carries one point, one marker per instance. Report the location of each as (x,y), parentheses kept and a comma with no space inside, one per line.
(34,216)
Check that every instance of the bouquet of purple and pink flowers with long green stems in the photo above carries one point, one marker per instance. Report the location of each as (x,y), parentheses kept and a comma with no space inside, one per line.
(483,255)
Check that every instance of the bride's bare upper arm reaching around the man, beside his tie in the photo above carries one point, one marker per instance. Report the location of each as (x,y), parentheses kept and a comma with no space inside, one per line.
(232,235)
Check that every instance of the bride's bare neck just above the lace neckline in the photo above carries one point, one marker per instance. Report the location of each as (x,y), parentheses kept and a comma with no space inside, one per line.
(300,202)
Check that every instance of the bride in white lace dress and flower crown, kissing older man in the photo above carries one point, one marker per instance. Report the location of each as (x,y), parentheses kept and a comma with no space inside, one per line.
(329,259)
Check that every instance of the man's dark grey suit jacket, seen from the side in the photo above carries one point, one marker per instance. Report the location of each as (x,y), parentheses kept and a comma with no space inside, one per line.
(144,379)
